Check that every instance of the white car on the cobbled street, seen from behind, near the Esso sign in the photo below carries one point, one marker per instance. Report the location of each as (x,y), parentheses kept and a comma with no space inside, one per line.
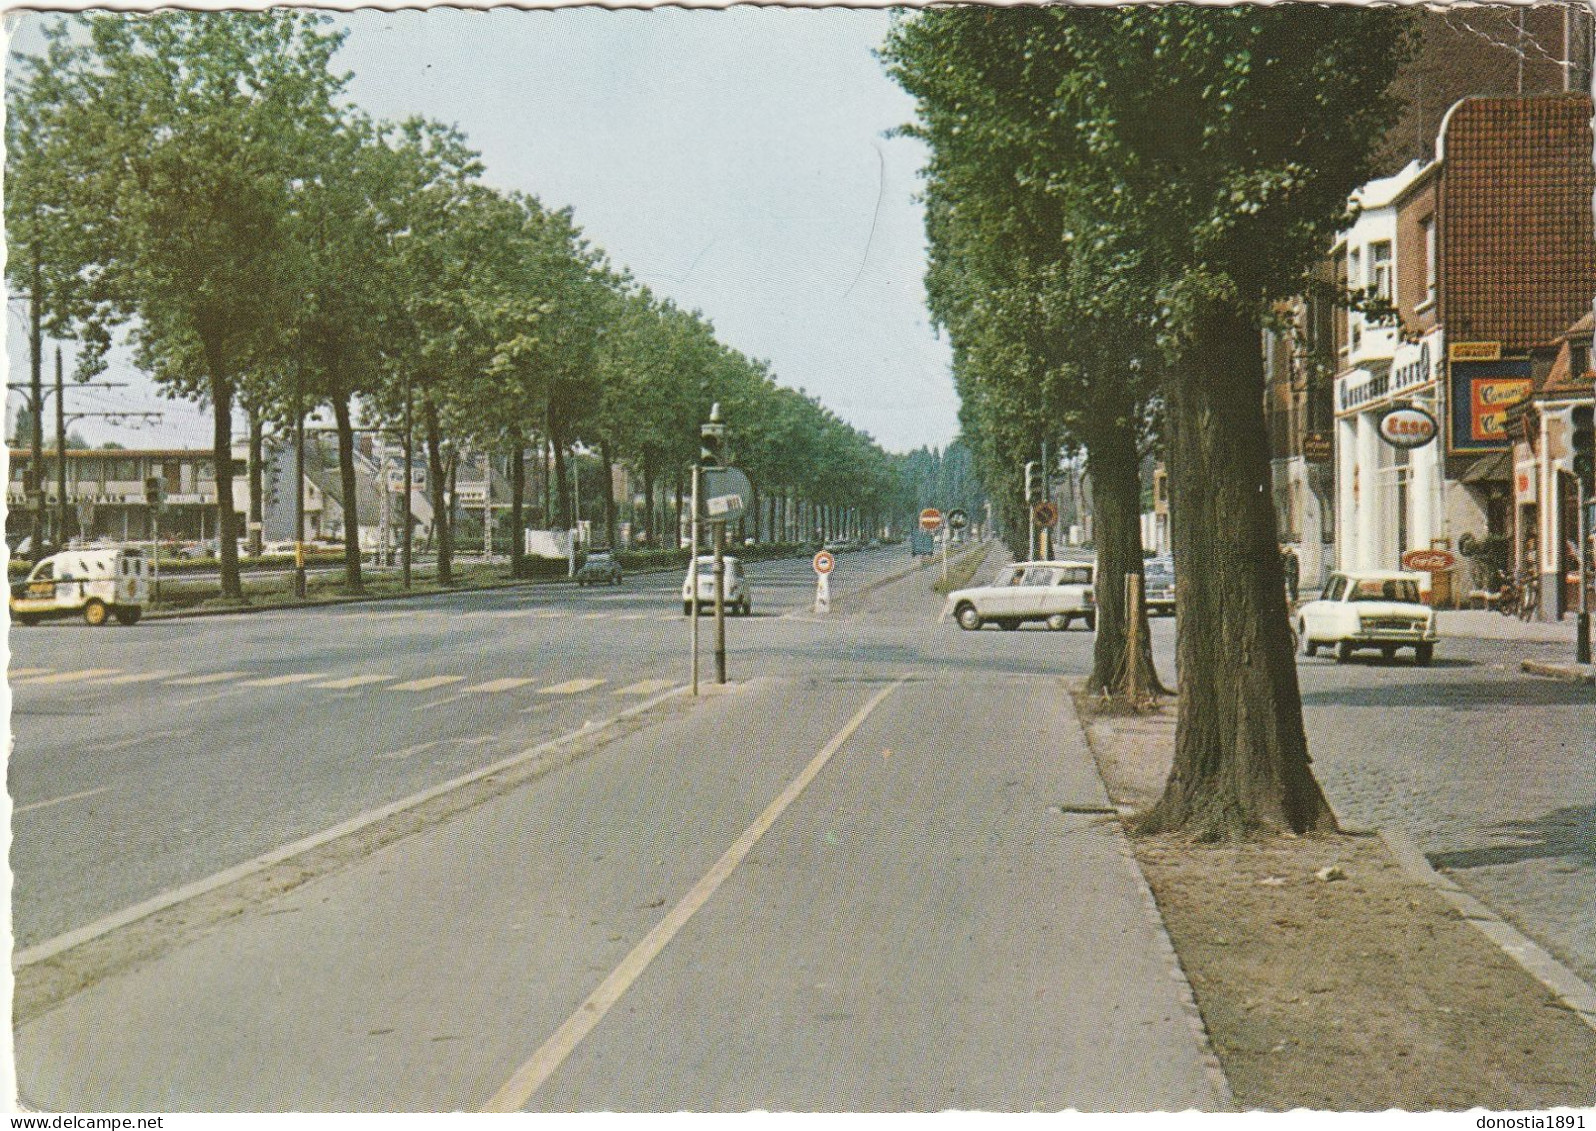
(1375,610)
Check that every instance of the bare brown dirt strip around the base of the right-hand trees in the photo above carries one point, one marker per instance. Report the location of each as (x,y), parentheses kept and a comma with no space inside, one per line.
(1329,977)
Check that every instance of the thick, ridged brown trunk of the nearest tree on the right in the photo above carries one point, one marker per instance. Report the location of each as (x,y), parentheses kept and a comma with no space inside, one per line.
(1241,754)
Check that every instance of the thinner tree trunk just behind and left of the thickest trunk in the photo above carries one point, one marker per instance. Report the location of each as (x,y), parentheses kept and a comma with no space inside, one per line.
(1116,470)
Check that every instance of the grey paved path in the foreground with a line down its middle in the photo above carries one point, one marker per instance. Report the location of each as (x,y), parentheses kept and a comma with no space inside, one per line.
(800,894)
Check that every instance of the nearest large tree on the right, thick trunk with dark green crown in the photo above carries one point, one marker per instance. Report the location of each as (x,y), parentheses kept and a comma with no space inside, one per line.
(1217,148)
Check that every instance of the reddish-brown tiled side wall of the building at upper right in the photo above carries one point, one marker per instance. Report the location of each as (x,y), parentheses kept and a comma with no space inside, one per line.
(1519,251)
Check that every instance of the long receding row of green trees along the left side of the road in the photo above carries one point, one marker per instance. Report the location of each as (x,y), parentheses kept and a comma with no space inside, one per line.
(199,186)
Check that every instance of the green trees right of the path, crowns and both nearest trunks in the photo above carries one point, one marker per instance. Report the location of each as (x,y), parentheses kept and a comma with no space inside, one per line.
(1118,199)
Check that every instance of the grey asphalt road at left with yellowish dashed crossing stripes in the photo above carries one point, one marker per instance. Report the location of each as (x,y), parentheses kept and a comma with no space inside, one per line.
(152,757)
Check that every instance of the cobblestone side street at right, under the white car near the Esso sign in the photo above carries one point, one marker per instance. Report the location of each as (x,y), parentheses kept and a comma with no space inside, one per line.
(1490,770)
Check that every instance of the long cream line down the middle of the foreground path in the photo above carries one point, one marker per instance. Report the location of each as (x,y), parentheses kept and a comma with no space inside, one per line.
(532,1076)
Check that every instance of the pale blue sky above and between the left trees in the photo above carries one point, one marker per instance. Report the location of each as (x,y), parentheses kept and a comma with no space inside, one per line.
(732,160)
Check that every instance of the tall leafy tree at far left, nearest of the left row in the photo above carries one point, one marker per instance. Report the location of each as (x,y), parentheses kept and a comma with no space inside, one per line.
(188,133)
